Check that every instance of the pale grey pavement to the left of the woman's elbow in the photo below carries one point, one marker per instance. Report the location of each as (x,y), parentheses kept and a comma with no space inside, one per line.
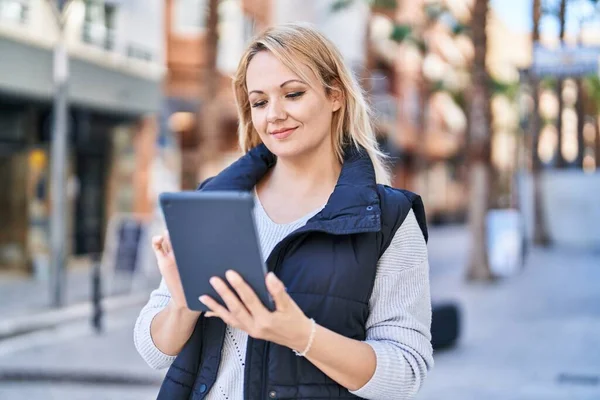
(75,352)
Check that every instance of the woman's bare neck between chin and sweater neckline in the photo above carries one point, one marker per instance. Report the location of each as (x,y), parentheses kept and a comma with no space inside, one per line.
(311,173)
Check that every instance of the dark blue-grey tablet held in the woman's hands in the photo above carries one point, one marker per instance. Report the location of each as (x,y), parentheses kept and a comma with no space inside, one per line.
(212,232)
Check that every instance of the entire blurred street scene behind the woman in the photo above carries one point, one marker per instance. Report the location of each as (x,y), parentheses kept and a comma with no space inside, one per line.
(490,109)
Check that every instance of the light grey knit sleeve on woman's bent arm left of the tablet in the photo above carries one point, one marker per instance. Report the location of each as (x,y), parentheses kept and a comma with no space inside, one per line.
(142,338)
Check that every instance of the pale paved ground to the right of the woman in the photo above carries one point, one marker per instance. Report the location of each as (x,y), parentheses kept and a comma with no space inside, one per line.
(533,336)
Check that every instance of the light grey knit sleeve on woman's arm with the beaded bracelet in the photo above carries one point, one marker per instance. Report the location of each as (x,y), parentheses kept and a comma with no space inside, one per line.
(398,327)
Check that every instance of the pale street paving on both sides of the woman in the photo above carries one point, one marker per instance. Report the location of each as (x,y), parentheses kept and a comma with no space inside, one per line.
(531,336)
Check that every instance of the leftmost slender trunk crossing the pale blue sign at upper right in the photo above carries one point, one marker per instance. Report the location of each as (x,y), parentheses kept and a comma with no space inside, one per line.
(540,231)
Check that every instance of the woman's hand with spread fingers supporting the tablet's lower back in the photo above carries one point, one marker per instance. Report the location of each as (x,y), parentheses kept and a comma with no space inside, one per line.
(286,326)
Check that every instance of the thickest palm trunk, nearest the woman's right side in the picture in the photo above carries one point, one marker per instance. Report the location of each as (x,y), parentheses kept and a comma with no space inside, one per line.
(479,147)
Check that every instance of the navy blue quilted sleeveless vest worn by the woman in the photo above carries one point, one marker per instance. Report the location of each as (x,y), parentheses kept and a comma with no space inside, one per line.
(328,267)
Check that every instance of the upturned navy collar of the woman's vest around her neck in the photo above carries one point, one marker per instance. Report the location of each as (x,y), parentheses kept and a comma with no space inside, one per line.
(353,206)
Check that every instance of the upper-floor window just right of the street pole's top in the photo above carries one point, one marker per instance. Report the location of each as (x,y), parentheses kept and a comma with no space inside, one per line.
(99,24)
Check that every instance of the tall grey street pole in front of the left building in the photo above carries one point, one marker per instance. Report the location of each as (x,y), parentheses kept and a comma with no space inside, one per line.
(58,159)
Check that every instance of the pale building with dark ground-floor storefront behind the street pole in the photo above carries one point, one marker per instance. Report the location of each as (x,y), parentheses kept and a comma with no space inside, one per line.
(116,66)
